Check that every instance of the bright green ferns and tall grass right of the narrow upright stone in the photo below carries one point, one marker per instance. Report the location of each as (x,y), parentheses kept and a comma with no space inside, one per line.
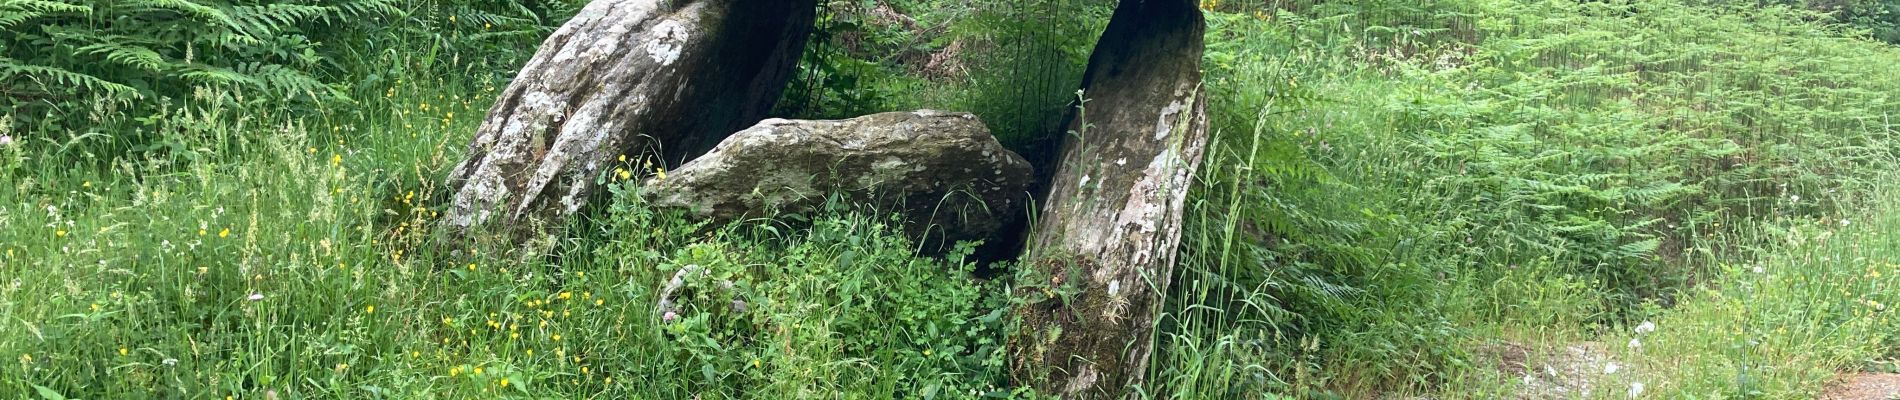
(1397,189)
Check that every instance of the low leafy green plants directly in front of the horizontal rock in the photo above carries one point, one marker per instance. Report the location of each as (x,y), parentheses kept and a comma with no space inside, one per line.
(841,306)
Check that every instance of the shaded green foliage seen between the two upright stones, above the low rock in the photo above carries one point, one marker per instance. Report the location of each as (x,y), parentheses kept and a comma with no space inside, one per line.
(1012,64)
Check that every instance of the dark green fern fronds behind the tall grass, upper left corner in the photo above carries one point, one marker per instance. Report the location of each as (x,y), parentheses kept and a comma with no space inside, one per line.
(102,75)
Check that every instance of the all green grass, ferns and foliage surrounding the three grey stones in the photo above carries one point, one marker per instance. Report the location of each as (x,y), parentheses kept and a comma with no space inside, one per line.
(235,198)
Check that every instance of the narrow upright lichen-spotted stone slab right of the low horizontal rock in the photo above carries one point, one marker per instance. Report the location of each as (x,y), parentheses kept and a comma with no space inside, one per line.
(1112,221)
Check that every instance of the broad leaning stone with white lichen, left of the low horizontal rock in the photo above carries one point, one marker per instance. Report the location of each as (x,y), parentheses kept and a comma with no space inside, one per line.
(662,79)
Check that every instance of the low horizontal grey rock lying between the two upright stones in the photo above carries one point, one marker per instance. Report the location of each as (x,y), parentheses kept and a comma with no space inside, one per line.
(940,170)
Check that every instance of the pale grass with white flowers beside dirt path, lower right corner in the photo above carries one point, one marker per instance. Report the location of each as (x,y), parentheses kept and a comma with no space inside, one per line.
(1815,302)
